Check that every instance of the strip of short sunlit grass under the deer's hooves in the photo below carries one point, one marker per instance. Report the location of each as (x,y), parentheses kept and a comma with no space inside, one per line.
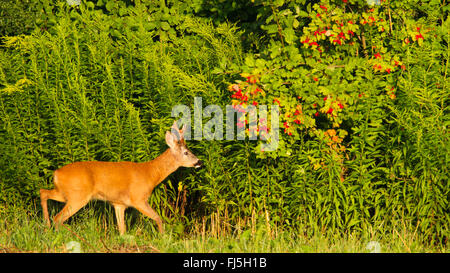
(95,231)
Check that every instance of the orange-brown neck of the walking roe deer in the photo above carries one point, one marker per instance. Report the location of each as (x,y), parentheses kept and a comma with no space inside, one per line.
(161,167)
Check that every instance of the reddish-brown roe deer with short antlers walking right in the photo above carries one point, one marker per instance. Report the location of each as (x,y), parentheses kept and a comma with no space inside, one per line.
(123,184)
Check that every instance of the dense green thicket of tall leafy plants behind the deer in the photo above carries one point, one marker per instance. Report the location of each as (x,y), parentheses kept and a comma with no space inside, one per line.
(362,90)
